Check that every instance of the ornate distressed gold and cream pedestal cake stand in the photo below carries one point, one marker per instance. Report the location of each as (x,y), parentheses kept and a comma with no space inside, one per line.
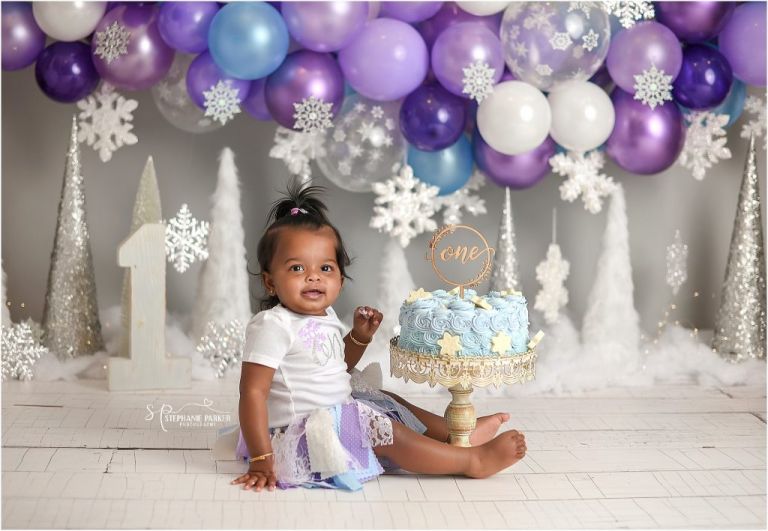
(461,375)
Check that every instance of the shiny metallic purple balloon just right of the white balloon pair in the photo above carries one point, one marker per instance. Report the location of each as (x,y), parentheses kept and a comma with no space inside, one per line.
(645,140)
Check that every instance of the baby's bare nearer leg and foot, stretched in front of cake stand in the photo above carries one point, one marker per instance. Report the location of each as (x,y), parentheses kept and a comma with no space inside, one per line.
(416,453)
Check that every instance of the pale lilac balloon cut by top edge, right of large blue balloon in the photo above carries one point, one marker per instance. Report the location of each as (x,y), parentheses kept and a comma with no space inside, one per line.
(324,26)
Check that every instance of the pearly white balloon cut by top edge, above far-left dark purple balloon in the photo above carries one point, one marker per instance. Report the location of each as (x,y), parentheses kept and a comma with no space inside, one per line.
(68,21)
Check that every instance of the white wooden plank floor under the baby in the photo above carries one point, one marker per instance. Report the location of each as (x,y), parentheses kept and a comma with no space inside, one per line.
(77,456)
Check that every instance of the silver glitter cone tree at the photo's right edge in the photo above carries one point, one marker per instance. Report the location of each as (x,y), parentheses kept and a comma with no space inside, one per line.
(740,323)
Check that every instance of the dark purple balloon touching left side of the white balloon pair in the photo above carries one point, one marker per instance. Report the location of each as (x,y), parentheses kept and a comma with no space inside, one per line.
(431,118)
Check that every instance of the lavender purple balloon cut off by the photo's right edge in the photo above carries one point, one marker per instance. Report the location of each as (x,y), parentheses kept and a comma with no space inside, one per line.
(742,42)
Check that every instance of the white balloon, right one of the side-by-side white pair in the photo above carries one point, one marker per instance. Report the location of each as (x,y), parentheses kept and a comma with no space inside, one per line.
(582,115)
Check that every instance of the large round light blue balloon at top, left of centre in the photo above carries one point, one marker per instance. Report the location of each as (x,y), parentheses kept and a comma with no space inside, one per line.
(248,40)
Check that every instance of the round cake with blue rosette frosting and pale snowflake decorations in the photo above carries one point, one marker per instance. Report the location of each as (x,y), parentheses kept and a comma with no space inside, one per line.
(444,323)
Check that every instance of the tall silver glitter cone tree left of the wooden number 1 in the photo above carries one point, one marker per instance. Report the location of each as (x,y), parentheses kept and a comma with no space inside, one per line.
(71,324)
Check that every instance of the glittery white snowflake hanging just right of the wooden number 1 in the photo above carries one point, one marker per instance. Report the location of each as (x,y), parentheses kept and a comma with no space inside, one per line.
(186,239)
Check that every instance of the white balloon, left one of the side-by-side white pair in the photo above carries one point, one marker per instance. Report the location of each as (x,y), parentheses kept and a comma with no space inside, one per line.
(515,118)
